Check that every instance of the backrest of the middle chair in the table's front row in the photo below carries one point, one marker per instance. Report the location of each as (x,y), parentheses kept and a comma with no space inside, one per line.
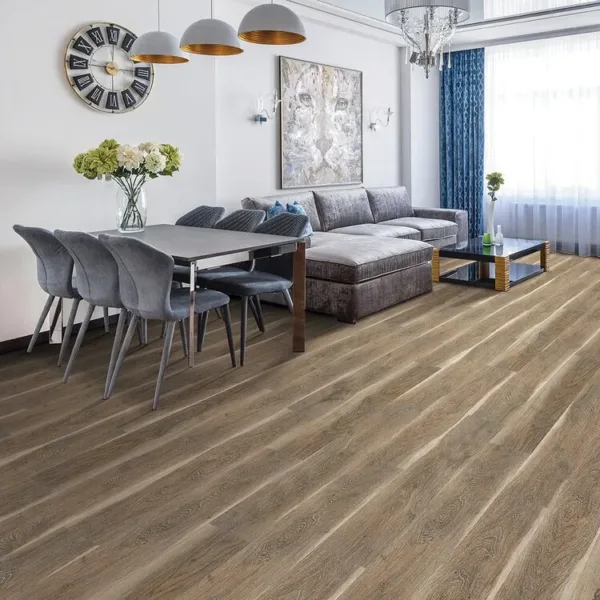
(95,268)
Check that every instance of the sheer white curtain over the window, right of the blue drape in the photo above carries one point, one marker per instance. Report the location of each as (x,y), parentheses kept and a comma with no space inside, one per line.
(543,132)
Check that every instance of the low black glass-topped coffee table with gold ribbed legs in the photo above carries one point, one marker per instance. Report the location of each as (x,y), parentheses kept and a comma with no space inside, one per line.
(492,267)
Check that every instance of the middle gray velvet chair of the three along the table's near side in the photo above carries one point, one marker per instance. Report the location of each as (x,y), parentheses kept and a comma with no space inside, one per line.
(98,284)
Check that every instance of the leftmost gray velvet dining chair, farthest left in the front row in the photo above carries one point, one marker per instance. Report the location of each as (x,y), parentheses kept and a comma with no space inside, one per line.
(55,277)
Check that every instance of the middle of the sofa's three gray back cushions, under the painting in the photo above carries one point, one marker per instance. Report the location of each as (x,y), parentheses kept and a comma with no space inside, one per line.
(343,208)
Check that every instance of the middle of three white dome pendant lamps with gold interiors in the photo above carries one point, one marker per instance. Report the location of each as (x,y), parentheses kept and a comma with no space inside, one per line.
(211,37)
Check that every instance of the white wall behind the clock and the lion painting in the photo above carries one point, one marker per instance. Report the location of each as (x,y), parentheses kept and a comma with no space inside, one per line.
(43,126)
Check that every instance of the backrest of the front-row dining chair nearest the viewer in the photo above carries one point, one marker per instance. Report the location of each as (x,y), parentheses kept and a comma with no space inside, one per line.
(145,276)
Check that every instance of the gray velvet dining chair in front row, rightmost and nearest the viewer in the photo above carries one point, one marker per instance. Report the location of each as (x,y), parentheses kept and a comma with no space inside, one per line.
(145,278)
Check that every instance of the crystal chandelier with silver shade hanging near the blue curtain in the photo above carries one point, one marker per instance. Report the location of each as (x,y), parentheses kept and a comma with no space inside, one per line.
(428,27)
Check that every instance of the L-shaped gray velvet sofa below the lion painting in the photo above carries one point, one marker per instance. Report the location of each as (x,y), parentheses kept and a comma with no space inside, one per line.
(370,248)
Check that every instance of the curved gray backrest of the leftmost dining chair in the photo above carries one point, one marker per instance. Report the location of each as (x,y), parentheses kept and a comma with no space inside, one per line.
(54,263)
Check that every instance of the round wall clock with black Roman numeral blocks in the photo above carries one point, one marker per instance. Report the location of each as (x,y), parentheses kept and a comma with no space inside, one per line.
(100,71)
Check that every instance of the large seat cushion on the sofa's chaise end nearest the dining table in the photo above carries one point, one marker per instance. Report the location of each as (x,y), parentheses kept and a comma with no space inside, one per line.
(351,262)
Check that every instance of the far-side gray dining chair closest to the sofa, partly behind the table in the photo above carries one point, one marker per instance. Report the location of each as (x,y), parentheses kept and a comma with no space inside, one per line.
(272,275)
